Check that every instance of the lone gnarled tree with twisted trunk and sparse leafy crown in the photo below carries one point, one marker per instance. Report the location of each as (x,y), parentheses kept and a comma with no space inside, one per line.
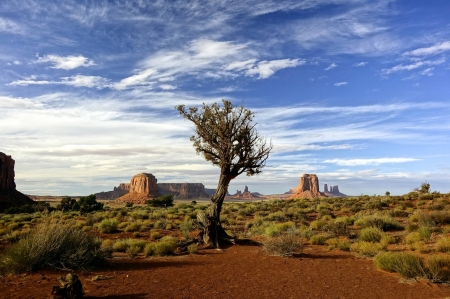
(226,136)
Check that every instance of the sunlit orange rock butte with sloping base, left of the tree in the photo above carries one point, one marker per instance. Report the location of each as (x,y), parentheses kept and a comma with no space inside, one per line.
(142,187)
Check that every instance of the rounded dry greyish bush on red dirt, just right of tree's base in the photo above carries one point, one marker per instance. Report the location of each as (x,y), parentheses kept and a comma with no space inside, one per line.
(284,245)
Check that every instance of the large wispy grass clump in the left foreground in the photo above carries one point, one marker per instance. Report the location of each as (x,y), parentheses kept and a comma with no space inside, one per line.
(50,245)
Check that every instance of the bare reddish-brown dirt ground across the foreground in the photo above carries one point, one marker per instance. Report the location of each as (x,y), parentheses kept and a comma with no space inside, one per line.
(236,272)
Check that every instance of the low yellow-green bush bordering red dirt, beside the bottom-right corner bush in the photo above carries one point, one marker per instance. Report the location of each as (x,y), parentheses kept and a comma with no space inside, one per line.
(407,265)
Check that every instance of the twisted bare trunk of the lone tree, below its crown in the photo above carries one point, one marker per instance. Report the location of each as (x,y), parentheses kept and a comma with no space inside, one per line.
(214,232)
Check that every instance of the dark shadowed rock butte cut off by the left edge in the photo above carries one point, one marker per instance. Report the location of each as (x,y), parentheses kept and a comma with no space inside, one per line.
(9,196)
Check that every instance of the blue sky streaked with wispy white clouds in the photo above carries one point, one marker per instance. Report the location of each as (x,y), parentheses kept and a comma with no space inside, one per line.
(355,91)
